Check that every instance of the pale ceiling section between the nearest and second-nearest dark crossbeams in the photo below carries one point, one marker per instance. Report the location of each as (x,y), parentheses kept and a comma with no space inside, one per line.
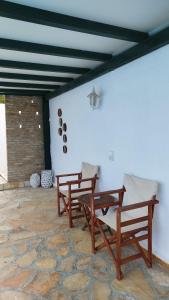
(59,37)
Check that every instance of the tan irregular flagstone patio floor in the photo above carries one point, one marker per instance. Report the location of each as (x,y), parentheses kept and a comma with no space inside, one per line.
(41,258)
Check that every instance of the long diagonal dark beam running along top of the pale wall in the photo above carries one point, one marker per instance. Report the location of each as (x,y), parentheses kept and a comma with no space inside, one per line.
(154,42)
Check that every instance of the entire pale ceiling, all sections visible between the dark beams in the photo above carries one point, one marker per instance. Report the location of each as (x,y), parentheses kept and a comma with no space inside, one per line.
(143,15)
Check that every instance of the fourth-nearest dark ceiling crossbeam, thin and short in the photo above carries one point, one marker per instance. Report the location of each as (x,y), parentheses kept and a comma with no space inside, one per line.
(34,77)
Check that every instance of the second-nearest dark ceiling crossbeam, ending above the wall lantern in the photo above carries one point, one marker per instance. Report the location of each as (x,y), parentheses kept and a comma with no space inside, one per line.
(28,47)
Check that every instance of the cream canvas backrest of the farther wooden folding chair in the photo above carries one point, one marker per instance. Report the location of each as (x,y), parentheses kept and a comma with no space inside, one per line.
(88,171)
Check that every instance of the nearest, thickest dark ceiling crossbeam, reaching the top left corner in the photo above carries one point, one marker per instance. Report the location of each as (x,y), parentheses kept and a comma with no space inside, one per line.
(43,17)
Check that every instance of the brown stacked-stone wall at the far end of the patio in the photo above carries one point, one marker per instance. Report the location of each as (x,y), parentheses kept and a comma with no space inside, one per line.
(25,146)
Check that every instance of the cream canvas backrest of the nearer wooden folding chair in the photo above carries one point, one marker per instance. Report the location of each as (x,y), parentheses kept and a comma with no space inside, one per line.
(138,190)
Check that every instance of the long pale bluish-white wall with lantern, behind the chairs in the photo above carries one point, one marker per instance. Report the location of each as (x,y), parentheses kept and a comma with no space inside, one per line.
(133,122)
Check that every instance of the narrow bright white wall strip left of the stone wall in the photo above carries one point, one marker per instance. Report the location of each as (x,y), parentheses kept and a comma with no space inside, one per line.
(3,150)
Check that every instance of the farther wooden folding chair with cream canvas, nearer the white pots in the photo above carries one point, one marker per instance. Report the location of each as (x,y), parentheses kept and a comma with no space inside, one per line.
(85,184)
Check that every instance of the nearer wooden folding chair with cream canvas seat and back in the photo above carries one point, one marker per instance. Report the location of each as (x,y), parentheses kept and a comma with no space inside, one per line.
(131,223)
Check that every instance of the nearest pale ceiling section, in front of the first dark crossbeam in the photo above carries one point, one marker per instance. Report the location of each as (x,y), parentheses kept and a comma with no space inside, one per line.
(142,15)
